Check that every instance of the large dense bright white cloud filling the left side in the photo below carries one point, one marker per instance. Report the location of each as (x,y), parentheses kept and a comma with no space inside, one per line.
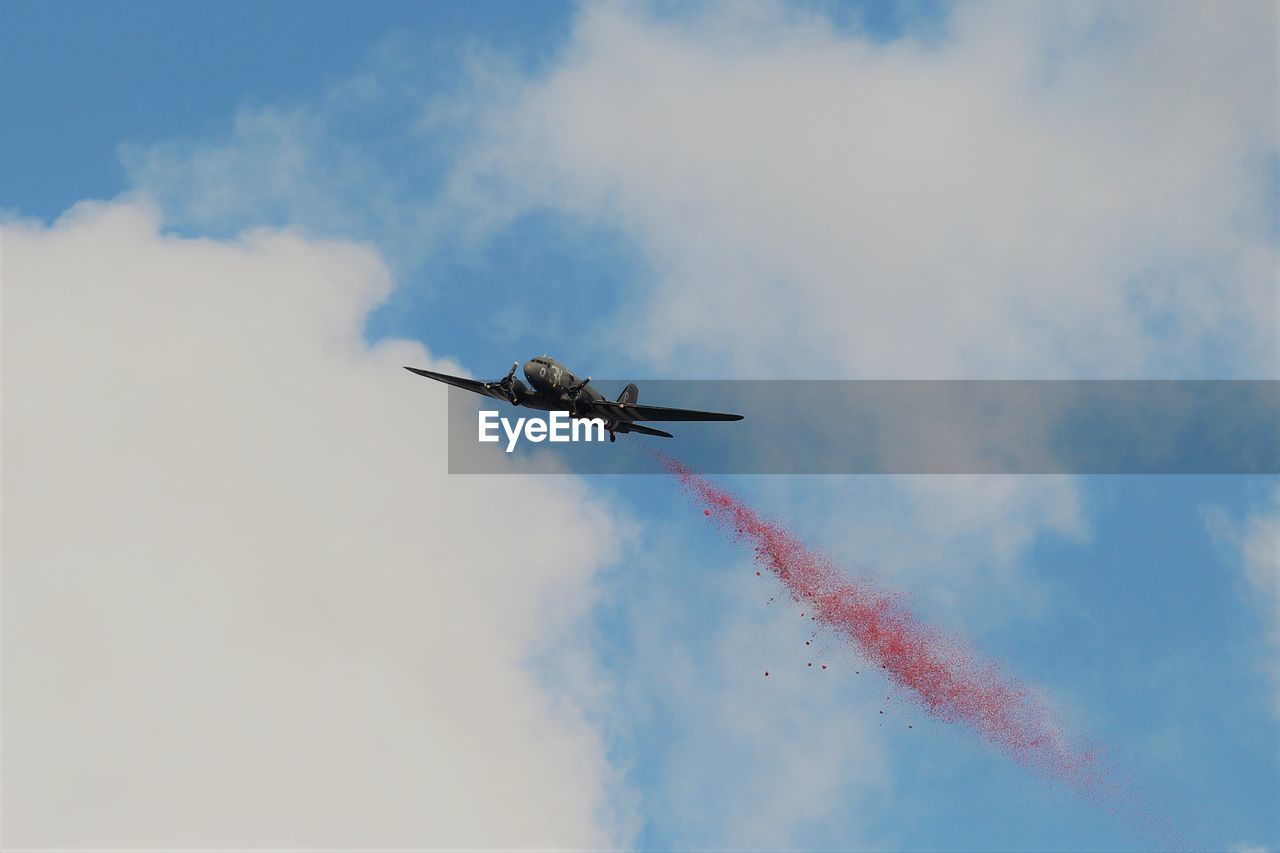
(244,605)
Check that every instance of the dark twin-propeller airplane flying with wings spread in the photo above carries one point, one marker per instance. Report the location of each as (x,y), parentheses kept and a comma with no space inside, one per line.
(556,389)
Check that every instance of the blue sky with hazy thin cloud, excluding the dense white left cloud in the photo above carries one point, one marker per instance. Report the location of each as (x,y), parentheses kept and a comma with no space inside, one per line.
(456,142)
